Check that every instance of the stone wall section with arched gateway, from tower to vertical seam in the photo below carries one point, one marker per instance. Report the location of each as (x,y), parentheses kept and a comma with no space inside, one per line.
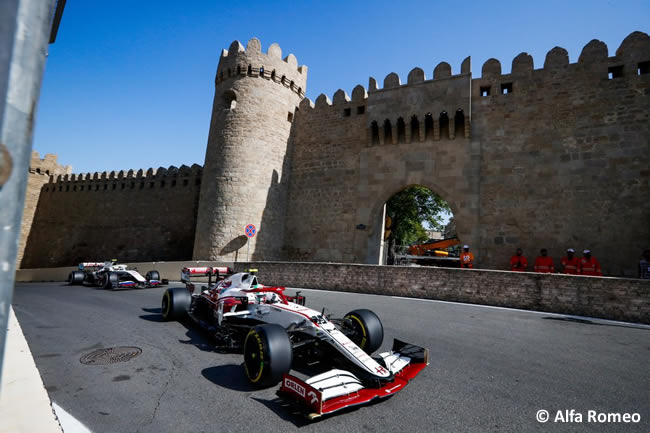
(350,156)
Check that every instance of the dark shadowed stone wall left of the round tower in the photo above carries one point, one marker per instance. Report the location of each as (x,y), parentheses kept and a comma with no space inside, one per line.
(124,215)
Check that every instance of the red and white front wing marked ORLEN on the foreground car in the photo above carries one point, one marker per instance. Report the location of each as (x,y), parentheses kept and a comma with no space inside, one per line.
(337,389)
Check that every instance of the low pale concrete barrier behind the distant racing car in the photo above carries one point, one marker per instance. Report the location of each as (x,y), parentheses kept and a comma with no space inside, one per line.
(167,270)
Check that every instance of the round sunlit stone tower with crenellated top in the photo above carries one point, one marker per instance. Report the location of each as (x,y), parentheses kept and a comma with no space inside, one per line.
(244,177)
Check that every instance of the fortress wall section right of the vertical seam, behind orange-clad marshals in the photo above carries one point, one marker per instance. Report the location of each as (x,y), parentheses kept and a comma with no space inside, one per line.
(564,157)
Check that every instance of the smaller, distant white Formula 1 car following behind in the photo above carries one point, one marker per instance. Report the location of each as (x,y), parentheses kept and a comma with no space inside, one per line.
(111,275)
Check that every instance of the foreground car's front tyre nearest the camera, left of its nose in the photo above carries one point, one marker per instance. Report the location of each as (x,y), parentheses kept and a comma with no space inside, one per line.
(267,354)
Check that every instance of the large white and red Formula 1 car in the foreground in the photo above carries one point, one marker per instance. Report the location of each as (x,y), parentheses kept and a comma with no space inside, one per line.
(277,331)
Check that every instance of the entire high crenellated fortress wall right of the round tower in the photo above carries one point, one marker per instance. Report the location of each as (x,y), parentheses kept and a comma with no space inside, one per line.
(553,157)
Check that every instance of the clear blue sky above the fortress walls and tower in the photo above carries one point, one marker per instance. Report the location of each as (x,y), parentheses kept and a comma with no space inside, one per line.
(129,84)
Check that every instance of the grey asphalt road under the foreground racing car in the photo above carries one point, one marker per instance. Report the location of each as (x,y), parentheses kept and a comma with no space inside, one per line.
(490,370)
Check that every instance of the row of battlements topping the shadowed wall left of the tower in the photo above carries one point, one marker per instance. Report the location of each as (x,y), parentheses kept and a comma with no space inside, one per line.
(161,177)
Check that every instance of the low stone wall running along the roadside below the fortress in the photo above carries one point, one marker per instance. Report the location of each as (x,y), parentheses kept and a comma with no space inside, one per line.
(608,298)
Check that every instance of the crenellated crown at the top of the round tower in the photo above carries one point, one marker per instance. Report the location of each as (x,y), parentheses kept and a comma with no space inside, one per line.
(238,62)
